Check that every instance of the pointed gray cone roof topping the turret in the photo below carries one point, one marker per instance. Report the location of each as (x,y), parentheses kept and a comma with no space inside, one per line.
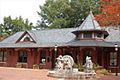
(90,23)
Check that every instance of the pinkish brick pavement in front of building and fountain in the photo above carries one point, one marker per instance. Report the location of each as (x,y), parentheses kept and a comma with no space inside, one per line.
(34,74)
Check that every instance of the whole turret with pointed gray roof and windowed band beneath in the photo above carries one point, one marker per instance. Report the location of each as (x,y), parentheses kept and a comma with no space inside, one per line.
(90,29)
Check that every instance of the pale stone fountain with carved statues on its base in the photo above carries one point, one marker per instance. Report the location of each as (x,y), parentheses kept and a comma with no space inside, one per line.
(63,69)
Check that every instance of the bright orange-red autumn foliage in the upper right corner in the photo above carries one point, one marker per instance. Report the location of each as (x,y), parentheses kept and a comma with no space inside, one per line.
(110,13)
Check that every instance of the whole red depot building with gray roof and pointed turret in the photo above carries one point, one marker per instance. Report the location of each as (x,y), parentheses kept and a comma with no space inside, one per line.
(43,46)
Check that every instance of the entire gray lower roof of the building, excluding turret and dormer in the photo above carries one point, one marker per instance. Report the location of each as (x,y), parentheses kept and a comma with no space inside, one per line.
(61,37)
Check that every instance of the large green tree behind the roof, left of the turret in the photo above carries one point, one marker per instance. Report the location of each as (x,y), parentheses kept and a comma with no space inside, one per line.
(65,13)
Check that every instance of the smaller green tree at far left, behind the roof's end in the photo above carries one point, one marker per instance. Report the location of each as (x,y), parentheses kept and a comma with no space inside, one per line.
(11,26)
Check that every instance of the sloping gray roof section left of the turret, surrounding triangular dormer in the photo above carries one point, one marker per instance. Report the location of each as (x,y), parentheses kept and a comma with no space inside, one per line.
(43,38)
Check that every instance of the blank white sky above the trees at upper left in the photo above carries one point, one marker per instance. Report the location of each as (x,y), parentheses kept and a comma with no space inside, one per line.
(25,8)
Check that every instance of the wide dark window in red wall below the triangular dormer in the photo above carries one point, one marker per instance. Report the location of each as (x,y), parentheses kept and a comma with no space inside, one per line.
(22,57)
